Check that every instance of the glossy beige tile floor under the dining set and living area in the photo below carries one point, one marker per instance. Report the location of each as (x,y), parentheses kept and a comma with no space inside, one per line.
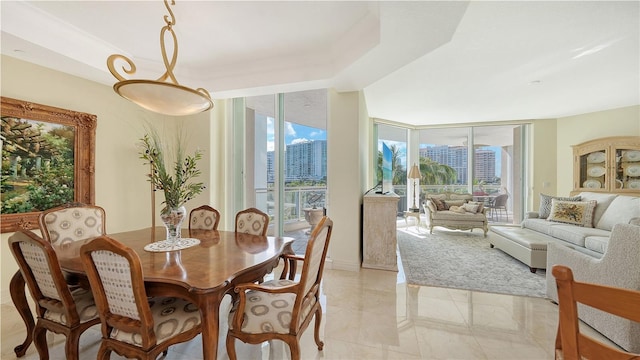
(374,314)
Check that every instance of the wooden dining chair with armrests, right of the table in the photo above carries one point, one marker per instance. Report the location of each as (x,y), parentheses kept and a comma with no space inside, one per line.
(282,309)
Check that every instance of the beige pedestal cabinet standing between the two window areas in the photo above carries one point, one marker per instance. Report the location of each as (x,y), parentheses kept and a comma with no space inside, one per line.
(379,232)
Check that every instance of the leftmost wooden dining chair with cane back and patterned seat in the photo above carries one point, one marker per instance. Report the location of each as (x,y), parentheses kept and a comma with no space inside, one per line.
(59,308)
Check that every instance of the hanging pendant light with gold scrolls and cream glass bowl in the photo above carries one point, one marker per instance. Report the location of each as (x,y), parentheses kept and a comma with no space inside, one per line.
(164,95)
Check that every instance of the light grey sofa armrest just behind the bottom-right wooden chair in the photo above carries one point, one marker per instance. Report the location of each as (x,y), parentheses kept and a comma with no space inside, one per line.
(618,267)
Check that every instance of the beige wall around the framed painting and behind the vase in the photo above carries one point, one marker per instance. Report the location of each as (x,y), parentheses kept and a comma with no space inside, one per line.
(120,182)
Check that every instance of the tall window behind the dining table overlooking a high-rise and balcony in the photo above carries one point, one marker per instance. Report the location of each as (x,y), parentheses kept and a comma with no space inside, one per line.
(285,167)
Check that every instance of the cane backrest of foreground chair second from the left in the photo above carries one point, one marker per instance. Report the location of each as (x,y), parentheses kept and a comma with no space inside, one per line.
(116,279)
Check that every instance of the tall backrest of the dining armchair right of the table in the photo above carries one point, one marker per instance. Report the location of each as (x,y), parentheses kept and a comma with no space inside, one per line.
(312,268)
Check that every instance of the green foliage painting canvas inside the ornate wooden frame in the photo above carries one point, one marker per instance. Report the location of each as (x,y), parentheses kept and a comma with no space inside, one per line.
(37,165)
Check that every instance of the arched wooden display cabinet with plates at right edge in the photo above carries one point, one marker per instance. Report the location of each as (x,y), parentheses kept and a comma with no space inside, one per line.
(609,164)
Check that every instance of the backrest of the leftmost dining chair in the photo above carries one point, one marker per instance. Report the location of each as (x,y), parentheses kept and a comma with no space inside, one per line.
(39,266)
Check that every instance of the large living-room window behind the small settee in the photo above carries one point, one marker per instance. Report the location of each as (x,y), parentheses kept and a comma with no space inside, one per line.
(483,160)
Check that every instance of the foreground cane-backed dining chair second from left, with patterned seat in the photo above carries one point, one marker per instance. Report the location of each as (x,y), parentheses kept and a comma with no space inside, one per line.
(133,325)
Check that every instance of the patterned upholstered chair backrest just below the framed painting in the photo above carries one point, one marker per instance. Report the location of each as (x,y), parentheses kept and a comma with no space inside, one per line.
(72,222)
